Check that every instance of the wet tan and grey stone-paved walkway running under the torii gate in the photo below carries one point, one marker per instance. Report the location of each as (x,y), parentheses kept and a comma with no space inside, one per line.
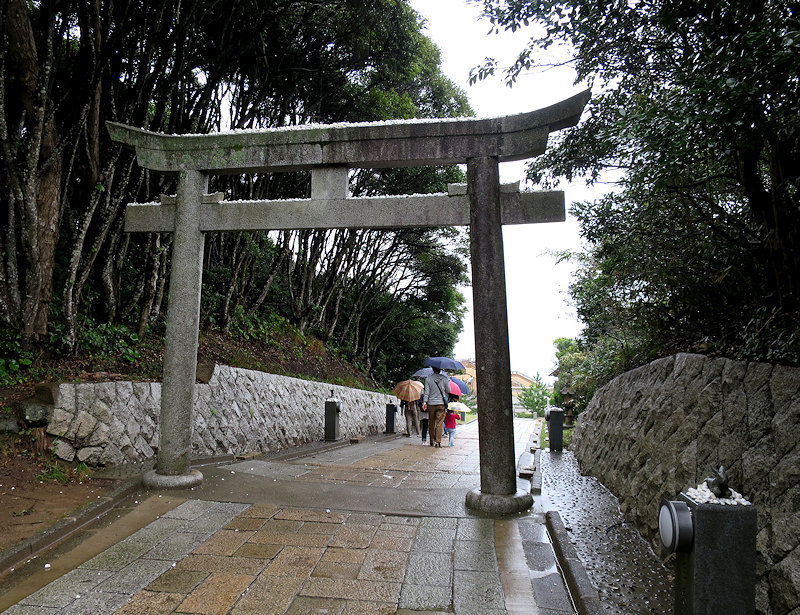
(372,528)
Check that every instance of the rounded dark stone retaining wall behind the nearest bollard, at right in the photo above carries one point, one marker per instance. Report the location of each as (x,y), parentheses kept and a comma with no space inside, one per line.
(662,428)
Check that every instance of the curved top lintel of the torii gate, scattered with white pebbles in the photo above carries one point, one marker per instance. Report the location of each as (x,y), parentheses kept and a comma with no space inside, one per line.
(364,145)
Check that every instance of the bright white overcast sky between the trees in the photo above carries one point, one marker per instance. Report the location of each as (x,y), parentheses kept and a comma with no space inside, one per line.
(536,287)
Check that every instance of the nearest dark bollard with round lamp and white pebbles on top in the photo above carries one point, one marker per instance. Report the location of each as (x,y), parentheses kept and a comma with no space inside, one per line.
(714,541)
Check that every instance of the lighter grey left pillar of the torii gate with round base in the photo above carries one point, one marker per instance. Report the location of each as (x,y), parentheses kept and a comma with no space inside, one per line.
(180,351)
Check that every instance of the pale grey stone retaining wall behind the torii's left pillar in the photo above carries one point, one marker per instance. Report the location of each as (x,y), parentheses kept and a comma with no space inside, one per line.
(238,411)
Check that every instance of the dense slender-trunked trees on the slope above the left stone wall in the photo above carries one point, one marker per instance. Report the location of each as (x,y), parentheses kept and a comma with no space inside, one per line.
(280,64)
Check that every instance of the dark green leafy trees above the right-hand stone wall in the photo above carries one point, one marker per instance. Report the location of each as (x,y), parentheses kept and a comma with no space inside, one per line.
(696,113)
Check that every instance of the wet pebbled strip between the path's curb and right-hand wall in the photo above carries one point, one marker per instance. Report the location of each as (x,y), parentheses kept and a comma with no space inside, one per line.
(627,573)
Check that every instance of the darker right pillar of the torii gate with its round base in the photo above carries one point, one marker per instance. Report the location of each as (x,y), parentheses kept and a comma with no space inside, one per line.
(498,493)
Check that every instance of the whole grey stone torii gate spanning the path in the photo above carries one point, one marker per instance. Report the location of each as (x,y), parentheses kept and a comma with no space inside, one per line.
(329,152)
